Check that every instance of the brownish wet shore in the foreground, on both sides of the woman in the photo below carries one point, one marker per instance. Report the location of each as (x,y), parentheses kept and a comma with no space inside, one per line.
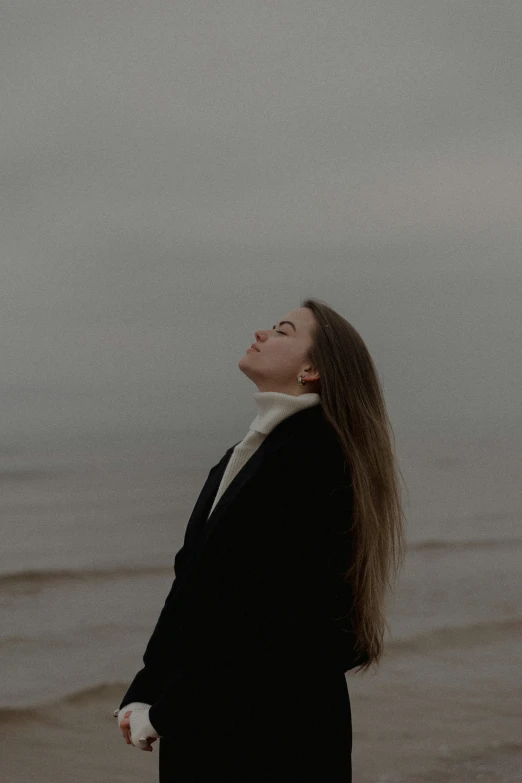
(408,726)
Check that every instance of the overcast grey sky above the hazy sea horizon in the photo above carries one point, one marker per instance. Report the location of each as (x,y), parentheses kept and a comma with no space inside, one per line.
(176,175)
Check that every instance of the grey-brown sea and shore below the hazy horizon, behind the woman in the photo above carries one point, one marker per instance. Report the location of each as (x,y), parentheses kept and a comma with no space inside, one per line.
(81,589)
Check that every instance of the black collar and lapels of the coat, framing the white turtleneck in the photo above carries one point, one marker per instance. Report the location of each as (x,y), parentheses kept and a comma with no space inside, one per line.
(307,423)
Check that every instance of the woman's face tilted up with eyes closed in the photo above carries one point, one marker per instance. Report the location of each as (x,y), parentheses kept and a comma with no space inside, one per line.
(281,355)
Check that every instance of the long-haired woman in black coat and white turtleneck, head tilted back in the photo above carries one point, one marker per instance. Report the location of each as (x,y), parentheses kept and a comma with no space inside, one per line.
(280,584)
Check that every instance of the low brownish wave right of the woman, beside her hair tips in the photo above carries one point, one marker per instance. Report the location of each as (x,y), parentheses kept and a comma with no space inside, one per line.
(460,636)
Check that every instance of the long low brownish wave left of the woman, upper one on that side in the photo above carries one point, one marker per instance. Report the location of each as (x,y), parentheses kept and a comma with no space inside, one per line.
(42,578)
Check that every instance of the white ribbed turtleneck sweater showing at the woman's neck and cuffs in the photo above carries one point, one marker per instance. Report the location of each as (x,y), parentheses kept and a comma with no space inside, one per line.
(272,408)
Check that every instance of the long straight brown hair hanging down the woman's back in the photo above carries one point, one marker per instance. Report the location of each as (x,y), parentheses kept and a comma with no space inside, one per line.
(353,403)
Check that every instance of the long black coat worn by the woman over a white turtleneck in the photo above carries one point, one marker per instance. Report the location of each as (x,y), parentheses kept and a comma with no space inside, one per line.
(245,669)
